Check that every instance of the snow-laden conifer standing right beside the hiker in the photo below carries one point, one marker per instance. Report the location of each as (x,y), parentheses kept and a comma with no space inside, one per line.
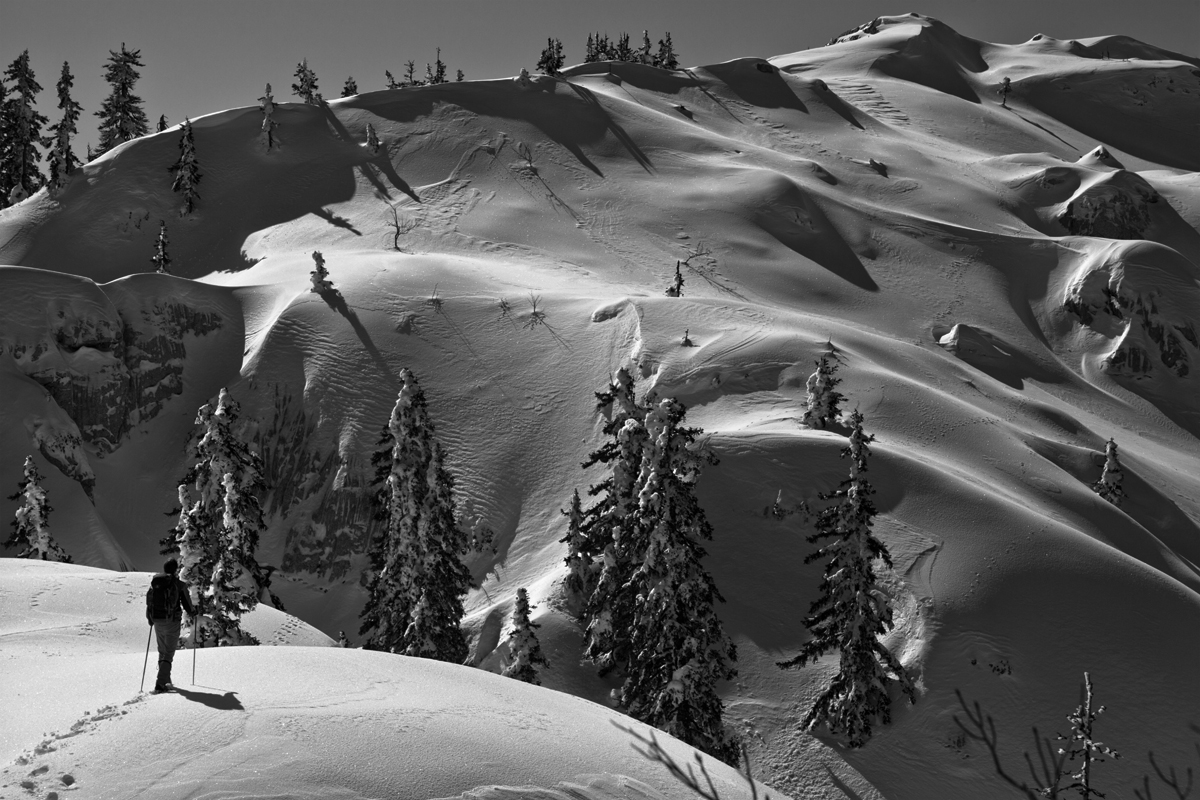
(220,522)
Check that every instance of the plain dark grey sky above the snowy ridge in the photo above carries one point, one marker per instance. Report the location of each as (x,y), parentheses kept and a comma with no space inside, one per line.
(207,56)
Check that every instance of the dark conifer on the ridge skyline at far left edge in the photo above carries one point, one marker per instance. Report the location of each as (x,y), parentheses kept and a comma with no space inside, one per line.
(22,133)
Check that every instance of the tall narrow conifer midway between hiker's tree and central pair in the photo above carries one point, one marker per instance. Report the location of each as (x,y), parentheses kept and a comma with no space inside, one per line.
(418,579)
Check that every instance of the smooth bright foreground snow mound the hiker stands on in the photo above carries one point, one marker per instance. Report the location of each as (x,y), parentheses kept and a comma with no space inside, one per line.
(308,720)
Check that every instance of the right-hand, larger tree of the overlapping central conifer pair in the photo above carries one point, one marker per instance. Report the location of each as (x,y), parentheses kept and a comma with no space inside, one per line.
(679,651)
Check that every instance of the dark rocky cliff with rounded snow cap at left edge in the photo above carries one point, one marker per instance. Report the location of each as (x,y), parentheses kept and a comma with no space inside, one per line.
(109,358)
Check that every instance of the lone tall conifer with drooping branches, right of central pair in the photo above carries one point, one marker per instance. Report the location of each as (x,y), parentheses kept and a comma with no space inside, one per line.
(853,611)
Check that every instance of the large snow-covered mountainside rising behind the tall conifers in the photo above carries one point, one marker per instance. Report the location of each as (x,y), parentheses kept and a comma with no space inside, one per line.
(1006,287)
